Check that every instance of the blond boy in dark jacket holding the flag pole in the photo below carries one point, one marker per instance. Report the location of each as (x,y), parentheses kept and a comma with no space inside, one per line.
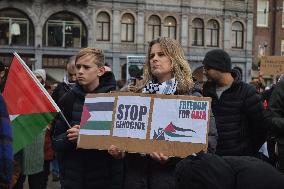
(86,169)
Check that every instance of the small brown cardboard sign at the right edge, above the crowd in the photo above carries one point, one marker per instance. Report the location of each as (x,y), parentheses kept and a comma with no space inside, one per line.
(272,65)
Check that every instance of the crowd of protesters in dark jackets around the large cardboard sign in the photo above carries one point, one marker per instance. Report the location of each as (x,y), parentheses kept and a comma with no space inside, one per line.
(243,118)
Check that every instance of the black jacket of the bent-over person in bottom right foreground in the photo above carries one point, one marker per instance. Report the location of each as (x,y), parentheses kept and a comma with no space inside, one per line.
(209,171)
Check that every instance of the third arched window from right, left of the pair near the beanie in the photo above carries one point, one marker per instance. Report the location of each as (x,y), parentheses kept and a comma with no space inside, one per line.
(197,32)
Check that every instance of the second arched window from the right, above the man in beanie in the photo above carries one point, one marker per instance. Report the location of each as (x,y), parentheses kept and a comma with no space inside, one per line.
(212,33)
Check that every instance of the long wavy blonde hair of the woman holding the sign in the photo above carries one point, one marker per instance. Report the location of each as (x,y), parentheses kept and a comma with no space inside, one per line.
(181,70)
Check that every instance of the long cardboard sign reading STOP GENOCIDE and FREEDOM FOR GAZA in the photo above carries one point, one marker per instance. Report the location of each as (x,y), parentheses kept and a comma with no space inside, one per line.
(141,123)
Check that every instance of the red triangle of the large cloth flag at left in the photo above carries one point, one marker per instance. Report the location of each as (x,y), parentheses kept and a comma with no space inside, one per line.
(22,92)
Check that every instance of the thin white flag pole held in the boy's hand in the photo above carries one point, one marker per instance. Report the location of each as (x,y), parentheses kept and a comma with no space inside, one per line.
(42,88)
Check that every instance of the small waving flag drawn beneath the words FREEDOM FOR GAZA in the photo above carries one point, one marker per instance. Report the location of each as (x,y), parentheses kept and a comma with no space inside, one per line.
(174,131)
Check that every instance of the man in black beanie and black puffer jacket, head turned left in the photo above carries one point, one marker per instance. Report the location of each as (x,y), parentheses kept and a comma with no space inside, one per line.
(240,119)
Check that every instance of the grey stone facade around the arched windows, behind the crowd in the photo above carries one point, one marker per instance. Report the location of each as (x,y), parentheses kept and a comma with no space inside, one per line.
(184,11)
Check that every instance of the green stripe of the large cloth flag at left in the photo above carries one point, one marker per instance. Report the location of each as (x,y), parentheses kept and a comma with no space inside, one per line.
(27,127)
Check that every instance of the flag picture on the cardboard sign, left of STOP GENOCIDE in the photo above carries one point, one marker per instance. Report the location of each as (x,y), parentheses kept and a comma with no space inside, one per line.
(97,116)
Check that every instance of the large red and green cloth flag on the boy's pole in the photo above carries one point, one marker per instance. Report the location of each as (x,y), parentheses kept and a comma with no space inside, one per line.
(29,105)
